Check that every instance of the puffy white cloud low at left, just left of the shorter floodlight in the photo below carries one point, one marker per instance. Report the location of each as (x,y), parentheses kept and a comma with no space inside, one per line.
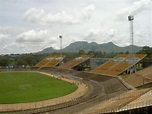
(36,40)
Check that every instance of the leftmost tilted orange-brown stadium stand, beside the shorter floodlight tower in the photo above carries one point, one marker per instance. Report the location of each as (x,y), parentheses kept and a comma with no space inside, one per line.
(50,61)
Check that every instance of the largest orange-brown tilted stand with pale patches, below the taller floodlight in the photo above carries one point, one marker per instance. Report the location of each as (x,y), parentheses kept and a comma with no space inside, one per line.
(118,64)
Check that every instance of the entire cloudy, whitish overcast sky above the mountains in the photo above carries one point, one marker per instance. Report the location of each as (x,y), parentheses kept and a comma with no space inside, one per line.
(31,25)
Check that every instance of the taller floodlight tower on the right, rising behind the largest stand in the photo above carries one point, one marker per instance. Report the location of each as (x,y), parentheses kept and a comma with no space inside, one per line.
(131,18)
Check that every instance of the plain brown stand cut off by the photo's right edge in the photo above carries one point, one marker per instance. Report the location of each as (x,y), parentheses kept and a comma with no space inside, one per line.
(140,78)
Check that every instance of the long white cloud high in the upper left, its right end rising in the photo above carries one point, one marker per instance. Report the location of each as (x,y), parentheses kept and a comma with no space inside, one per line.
(40,16)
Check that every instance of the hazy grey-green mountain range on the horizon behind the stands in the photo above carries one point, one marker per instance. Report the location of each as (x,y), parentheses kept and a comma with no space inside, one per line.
(83,45)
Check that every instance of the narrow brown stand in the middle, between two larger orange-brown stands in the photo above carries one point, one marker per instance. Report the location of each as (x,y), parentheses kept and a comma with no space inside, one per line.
(73,63)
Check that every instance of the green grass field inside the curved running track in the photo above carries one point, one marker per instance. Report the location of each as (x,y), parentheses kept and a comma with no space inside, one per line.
(22,87)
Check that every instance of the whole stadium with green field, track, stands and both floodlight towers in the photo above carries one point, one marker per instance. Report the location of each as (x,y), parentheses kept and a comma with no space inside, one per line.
(82,85)
